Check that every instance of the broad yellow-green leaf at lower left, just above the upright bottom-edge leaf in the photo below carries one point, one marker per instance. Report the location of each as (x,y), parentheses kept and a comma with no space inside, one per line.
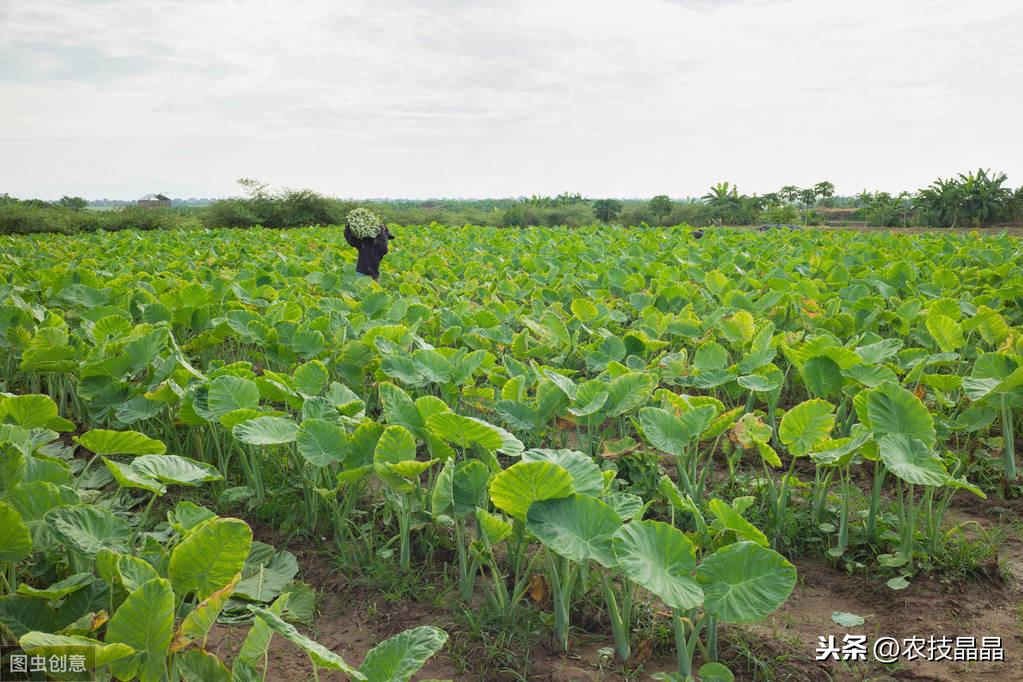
(210,557)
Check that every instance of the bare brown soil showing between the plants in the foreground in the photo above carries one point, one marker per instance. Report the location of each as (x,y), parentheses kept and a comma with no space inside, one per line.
(351,620)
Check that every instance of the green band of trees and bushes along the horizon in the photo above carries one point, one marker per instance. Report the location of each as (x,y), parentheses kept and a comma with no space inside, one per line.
(970,200)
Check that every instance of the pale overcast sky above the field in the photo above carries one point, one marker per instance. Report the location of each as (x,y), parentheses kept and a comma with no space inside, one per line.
(494,99)
